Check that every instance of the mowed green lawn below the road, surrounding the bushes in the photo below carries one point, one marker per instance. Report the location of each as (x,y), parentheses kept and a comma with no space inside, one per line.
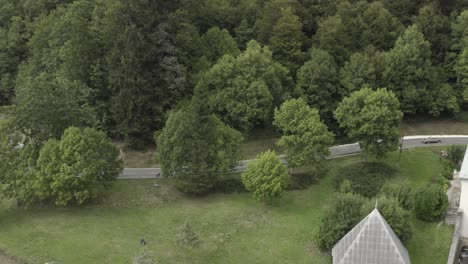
(233,228)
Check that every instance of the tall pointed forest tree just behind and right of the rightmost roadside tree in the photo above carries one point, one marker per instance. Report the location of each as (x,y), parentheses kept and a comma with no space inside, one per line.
(408,72)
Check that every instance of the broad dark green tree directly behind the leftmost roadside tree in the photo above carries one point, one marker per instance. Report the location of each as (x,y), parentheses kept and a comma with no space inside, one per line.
(45,107)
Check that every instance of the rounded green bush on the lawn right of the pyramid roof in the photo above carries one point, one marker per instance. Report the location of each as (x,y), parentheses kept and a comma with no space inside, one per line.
(430,202)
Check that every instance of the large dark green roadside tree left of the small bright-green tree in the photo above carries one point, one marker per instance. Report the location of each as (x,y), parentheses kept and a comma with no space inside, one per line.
(197,148)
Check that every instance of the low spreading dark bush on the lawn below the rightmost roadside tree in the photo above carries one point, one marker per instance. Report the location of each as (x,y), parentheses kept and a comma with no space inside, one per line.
(366,178)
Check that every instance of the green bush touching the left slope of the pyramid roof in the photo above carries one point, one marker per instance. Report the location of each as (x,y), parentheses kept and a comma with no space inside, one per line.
(345,212)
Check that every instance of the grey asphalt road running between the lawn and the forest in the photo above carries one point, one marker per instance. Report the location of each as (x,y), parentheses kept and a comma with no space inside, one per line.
(336,152)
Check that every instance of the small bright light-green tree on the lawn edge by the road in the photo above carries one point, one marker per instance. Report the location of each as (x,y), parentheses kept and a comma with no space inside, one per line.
(266,177)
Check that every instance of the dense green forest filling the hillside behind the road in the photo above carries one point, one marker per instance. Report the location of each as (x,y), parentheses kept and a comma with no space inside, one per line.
(121,66)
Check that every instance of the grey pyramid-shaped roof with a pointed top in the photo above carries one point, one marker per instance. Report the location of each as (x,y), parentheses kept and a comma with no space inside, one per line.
(372,241)
